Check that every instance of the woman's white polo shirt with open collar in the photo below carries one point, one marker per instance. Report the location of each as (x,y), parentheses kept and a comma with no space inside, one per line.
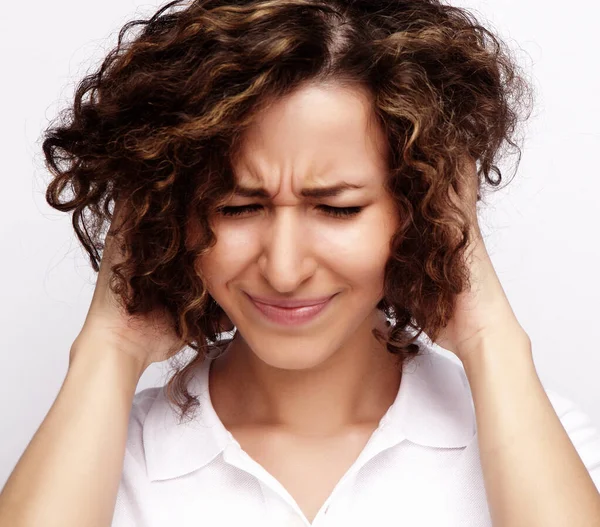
(420,468)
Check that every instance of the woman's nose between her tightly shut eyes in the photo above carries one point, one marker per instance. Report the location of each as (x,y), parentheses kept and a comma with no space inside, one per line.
(286,259)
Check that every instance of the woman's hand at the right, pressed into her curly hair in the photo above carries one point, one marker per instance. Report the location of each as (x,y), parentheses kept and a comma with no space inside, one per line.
(482,311)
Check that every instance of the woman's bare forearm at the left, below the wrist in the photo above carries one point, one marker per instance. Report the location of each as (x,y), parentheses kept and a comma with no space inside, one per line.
(69,474)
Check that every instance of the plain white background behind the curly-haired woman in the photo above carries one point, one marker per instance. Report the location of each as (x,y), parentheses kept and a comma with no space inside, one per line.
(543,228)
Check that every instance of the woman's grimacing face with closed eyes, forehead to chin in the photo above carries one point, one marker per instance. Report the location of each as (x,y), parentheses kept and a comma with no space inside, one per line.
(288,246)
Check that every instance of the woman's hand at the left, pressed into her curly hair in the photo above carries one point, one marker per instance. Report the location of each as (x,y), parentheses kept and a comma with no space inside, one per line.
(149,338)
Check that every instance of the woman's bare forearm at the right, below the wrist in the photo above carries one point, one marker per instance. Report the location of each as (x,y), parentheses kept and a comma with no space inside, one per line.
(532,473)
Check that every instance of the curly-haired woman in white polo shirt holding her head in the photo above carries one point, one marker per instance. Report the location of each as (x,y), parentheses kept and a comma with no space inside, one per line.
(305,175)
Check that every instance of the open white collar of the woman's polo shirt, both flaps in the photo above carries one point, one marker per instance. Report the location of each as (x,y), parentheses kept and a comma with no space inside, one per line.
(433,408)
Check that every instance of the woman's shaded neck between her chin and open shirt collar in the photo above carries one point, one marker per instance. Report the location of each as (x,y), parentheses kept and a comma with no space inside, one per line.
(354,386)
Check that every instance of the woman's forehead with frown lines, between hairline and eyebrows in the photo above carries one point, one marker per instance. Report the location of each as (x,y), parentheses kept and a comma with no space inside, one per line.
(317,136)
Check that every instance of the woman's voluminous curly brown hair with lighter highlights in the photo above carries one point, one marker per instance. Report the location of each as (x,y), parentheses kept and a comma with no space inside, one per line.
(160,123)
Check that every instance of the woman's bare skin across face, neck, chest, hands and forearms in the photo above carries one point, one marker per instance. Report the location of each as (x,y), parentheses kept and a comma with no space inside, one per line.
(318,380)
